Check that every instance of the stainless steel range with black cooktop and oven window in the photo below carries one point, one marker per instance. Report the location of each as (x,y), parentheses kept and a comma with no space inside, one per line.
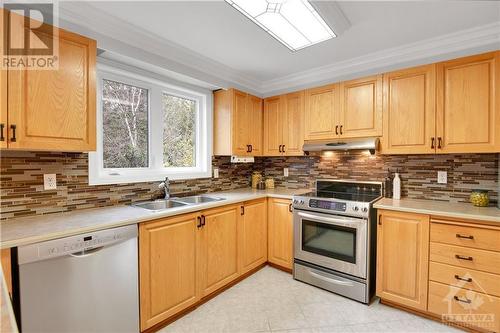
(335,237)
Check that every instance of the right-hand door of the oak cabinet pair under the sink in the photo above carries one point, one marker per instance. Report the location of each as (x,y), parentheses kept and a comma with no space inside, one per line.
(218,250)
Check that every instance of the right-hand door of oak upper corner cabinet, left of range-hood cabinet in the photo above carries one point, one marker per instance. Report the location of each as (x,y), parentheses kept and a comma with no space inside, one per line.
(293,126)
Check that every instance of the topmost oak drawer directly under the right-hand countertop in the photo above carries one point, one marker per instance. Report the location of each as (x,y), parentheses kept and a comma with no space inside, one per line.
(476,237)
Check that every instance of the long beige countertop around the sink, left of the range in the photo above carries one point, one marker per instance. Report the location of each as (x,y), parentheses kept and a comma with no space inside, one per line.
(34,229)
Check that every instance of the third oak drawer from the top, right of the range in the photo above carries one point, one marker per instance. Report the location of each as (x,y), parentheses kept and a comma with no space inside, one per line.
(466,278)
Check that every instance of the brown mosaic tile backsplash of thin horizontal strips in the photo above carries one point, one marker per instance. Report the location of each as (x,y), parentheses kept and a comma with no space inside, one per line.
(22,194)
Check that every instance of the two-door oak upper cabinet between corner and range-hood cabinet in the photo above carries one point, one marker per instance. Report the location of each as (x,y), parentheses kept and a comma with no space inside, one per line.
(284,125)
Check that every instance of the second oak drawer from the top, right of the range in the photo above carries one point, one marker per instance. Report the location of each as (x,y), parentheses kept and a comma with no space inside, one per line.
(480,260)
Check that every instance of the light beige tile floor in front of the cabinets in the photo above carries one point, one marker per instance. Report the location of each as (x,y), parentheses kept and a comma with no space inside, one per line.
(272,301)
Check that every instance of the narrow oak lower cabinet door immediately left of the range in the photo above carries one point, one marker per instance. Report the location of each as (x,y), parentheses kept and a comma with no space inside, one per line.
(280,226)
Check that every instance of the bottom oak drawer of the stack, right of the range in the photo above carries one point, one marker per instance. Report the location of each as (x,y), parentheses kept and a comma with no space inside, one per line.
(483,311)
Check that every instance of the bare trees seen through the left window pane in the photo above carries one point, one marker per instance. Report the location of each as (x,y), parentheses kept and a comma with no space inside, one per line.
(125,125)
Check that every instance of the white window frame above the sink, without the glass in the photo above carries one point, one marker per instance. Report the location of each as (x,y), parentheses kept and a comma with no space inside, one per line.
(155,171)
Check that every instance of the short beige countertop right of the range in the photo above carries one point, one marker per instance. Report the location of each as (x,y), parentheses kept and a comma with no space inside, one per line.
(439,208)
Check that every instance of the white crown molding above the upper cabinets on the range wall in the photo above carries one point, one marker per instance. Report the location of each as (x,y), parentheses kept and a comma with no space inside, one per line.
(477,39)
